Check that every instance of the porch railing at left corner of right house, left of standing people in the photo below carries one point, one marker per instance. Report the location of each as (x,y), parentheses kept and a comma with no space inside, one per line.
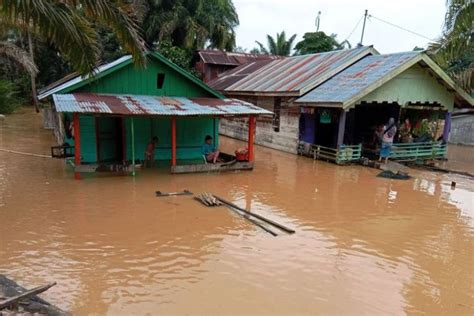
(343,154)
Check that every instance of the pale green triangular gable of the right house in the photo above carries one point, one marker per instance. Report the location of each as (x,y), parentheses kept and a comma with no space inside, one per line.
(413,85)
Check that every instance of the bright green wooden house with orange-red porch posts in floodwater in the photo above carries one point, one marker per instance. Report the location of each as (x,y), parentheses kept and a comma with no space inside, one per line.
(107,120)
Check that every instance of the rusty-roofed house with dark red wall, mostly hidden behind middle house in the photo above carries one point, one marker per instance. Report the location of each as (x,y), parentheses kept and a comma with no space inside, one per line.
(213,62)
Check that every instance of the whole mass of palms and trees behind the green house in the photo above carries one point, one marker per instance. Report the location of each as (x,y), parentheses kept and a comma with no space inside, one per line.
(43,40)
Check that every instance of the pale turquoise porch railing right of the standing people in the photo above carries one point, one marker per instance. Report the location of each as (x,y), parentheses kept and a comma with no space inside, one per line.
(427,150)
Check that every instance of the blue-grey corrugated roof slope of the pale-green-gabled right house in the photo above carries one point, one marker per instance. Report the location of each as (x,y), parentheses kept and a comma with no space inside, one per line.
(357,78)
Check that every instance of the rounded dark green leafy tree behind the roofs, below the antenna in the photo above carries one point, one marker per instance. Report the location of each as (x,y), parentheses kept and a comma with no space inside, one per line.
(317,42)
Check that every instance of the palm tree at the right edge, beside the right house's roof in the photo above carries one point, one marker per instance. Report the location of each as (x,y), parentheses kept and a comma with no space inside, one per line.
(454,50)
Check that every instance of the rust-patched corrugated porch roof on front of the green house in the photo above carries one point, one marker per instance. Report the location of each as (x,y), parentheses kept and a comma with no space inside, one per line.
(152,105)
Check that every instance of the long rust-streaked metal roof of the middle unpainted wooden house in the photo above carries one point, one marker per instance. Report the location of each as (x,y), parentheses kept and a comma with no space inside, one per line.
(291,76)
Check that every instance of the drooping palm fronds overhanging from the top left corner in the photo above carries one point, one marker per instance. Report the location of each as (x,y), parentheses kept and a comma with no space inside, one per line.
(69,26)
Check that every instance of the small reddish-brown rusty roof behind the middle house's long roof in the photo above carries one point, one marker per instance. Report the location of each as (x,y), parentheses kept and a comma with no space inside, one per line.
(219,57)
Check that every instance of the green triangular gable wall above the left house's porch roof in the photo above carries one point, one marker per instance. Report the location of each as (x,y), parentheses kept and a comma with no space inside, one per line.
(143,81)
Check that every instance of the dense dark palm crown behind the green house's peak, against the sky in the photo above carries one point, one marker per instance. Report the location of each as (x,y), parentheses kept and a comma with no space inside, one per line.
(191,24)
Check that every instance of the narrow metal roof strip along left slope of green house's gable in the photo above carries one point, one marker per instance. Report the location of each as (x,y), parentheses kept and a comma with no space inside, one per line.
(73,79)
